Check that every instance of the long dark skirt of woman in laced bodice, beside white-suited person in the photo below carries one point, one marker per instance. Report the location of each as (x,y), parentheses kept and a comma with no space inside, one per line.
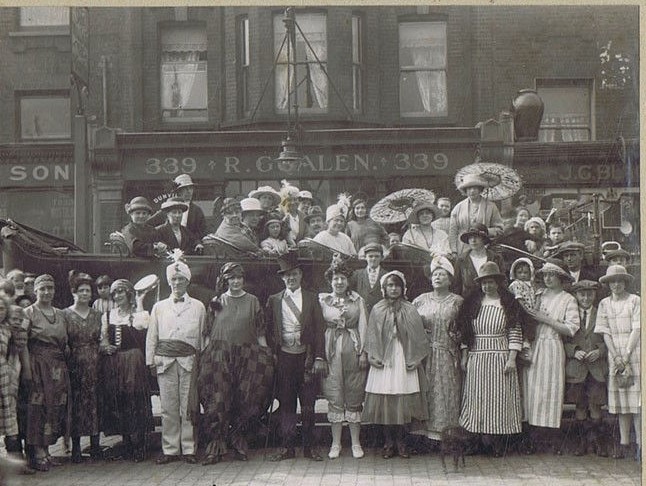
(124,407)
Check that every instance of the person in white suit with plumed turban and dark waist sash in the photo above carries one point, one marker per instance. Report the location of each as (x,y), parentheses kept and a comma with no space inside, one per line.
(173,340)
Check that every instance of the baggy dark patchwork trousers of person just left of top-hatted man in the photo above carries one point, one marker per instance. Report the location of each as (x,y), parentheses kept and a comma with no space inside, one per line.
(235,384)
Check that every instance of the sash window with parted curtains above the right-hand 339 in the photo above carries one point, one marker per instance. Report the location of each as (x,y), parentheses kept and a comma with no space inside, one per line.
(422,69)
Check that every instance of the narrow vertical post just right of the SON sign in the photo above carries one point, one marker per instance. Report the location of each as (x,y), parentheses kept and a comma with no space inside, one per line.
(81,183)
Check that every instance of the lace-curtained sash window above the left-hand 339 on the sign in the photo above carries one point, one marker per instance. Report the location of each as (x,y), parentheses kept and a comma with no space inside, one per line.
(183,73)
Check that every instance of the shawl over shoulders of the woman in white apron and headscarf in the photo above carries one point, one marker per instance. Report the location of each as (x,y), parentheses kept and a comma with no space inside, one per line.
(402,318)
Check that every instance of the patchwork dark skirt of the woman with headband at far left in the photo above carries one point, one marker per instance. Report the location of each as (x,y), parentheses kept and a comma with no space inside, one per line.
(47,408)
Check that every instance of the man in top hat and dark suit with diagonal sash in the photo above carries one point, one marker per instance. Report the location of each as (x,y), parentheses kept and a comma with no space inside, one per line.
(295,331)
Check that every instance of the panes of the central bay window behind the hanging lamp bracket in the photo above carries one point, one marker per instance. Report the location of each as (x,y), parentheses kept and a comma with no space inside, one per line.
(309,80)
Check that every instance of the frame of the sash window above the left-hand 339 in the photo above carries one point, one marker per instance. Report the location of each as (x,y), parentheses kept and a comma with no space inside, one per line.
(179,121)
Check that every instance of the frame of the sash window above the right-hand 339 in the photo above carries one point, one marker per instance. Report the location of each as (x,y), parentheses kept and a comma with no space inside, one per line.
(412,69)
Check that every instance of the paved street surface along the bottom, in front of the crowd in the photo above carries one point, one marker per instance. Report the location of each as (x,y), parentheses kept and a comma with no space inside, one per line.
(539,469)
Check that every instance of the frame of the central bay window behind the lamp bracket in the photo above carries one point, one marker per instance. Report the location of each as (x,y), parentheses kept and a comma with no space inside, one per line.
(302,109)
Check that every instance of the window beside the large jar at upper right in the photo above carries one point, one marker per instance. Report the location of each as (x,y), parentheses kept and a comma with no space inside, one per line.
(567,115)
